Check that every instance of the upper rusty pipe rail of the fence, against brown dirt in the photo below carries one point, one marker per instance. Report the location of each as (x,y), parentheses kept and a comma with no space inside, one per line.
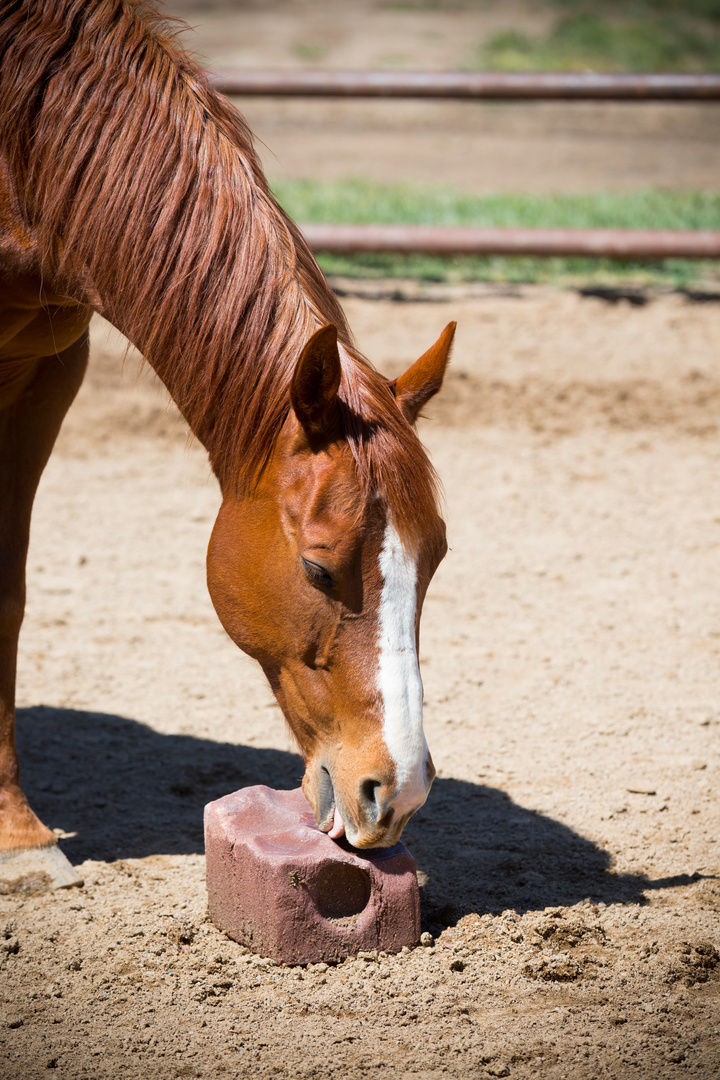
(469,86)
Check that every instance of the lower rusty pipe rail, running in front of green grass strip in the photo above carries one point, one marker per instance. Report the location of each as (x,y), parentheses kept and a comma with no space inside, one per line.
(440,240)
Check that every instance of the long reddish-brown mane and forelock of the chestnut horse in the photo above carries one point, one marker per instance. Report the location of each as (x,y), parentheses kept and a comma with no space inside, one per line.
(147,199)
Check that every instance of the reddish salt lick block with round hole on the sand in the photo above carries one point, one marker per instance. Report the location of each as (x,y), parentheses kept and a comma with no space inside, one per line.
(284,889)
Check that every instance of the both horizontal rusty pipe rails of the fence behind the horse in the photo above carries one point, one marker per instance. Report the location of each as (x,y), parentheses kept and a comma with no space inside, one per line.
(490,87)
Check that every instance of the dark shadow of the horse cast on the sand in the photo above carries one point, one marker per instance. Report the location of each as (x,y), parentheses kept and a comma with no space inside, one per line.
(128,791)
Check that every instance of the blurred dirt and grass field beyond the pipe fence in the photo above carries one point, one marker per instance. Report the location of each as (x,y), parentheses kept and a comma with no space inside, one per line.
(553,165)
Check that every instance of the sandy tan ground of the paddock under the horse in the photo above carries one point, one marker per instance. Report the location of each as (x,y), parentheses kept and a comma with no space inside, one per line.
(568,854)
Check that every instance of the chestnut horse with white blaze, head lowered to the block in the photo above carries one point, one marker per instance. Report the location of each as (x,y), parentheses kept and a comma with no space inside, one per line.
(129,187)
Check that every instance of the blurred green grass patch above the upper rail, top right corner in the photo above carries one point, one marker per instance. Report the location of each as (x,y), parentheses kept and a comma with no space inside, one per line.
(615,36)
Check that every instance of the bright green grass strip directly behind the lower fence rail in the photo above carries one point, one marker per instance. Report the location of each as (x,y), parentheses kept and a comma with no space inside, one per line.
(364,201)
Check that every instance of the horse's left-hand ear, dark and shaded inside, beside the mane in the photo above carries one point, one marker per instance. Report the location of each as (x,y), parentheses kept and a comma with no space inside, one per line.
(316,382)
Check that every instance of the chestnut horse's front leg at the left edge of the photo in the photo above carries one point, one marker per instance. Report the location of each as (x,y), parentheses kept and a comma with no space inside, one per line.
(29,428)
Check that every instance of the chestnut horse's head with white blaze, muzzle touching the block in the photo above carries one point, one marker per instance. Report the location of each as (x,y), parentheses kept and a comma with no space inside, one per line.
(314,574)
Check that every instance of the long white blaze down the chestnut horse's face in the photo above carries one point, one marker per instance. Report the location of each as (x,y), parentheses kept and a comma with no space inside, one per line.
(399,673)
